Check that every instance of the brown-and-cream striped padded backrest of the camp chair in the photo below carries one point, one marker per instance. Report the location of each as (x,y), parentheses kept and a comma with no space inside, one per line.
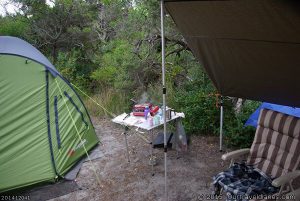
(276,146)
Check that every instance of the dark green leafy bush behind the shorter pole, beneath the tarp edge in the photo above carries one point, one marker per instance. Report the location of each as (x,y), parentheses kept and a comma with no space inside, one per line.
(198,102)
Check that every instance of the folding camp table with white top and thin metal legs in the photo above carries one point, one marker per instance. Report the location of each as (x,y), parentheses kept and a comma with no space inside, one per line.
(128,120)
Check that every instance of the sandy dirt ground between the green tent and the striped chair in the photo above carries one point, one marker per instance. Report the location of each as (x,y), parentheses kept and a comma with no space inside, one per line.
(189,176)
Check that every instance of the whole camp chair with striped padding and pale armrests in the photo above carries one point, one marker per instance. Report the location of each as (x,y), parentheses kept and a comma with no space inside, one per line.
(275,150)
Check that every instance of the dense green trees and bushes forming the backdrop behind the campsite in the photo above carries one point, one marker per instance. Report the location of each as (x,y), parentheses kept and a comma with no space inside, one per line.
(111,49)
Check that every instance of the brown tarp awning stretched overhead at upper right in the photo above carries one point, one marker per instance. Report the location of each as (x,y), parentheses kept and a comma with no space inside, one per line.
(249,48)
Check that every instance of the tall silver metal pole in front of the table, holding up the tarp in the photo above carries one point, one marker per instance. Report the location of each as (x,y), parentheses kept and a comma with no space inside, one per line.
(164,91)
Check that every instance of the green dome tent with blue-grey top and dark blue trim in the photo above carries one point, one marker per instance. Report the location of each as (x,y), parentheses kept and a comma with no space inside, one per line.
(44,126)
